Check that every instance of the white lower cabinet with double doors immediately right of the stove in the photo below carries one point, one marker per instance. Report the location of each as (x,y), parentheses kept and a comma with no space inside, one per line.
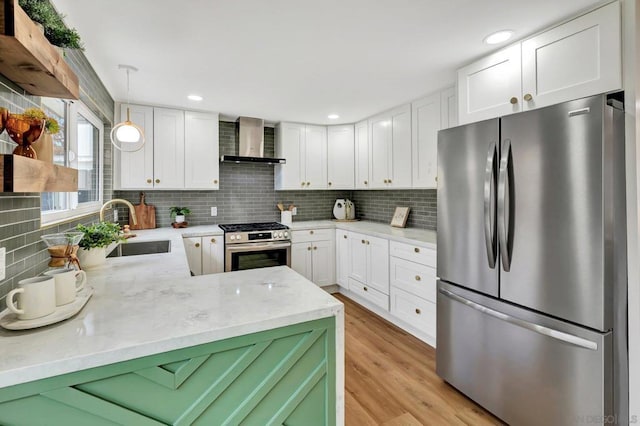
(313,255)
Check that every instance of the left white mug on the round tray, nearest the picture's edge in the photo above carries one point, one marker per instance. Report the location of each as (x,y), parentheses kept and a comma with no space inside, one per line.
(36,298)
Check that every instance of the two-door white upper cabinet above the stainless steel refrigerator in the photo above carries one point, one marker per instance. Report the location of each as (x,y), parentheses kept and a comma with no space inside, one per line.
(579,58)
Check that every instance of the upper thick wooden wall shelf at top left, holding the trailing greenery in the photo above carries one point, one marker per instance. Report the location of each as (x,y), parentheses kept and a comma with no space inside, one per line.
(29,60)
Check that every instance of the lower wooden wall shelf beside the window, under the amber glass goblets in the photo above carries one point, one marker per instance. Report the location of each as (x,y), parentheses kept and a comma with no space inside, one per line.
(22,174)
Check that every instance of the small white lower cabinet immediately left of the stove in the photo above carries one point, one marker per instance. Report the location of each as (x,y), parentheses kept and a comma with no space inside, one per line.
(205,255)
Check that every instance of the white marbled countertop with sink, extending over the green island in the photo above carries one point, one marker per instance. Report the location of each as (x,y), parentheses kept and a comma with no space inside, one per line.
(149,304)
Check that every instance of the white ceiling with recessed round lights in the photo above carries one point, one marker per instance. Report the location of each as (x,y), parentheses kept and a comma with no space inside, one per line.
(295,60)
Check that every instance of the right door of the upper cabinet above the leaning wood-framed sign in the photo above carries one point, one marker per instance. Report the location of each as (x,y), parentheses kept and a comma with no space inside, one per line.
(400,161)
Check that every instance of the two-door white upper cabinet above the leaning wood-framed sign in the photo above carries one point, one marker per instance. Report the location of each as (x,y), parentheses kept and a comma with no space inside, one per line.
(390,149)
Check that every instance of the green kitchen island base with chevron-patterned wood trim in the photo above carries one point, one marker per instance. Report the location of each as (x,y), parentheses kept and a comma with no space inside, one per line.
(281,376)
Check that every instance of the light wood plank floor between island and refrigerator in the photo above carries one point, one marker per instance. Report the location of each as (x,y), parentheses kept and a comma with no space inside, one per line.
(390,378)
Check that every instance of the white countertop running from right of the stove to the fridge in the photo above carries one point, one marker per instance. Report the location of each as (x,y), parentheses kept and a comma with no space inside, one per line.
(424,237)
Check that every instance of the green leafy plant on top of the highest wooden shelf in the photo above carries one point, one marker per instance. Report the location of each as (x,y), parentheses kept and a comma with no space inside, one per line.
(58,34)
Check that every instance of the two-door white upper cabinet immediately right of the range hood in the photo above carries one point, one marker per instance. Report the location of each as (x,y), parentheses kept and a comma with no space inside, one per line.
(305,149)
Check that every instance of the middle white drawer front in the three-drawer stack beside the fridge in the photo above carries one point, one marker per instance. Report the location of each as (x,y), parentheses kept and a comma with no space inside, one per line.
(414,278)
